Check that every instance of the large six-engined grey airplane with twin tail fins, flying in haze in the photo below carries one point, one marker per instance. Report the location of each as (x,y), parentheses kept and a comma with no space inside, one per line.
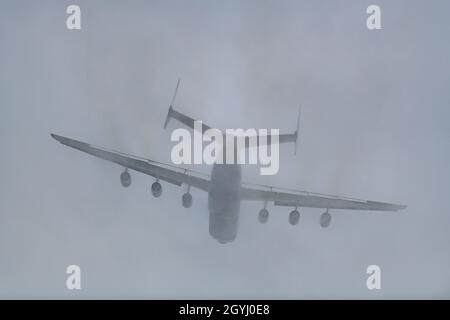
(224,186)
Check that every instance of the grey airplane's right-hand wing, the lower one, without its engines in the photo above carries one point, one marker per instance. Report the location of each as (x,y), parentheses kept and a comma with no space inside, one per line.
(296,198)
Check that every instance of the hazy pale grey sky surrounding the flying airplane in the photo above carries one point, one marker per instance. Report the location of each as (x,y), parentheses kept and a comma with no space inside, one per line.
(374,125)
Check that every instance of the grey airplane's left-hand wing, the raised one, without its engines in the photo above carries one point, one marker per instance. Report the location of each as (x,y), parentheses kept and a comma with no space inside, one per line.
(171,174)
